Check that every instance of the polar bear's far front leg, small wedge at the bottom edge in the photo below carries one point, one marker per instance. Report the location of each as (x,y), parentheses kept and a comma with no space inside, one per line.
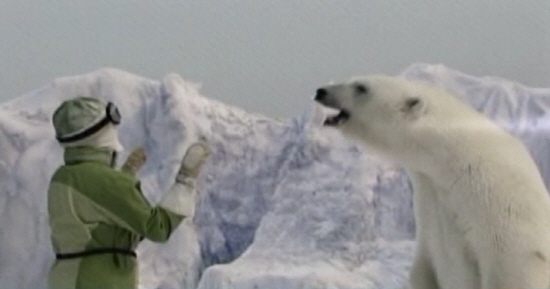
(422,275)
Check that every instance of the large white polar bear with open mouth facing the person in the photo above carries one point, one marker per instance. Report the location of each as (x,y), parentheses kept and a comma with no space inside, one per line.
(481,208)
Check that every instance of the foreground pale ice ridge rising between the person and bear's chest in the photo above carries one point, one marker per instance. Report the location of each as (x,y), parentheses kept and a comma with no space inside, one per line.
(338,220)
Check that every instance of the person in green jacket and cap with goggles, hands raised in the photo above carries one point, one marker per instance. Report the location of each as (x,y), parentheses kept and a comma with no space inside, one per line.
(98,214)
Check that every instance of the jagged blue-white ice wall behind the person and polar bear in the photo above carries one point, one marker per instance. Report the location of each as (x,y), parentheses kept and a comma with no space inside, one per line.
(284,204)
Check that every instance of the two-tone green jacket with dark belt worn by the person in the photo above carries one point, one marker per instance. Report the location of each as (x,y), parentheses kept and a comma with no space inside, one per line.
(93,206)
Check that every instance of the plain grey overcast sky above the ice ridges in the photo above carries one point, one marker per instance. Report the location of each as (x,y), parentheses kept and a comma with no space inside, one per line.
(269,56)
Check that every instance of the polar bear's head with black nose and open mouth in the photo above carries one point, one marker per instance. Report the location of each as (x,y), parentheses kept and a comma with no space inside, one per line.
(391,116)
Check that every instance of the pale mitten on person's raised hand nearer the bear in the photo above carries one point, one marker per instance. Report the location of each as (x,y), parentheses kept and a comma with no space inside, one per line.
(192,162)
